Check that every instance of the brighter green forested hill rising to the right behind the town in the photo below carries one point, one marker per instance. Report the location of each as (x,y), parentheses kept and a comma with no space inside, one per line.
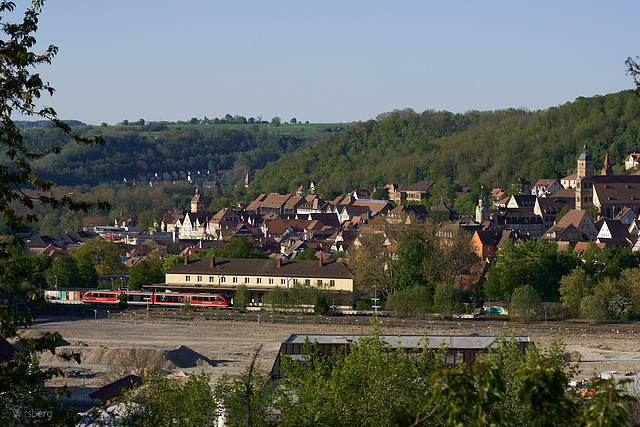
(476,148)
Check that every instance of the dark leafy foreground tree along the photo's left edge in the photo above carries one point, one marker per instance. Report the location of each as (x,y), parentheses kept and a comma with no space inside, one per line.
(21,380)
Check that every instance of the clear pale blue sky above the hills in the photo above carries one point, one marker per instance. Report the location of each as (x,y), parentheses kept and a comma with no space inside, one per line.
(330,61)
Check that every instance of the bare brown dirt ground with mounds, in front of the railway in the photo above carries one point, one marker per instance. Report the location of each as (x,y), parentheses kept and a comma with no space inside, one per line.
(222,346)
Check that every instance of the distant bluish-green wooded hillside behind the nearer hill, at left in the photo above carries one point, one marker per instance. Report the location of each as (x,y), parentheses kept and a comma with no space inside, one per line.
(150,149)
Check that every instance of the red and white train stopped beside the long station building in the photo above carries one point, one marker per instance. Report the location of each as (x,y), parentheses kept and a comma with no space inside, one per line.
(168,299)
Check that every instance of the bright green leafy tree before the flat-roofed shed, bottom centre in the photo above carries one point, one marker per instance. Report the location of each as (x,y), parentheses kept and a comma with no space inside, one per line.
(355,386)
